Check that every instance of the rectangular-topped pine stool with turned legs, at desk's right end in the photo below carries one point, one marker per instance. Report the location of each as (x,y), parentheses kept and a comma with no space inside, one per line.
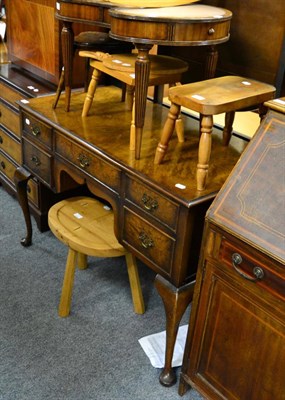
(210,97)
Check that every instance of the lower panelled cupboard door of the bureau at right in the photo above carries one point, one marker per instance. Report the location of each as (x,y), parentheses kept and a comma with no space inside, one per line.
(238,347)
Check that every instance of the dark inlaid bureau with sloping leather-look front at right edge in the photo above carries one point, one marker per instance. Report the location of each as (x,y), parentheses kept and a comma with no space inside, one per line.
(236,340)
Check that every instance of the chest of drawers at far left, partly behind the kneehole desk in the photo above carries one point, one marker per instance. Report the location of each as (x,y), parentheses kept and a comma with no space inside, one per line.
(16,84)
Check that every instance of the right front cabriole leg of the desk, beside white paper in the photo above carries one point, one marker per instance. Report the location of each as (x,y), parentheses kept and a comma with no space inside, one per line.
(175,302)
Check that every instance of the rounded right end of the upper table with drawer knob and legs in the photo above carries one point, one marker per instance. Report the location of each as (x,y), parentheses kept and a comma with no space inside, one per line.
(187,25)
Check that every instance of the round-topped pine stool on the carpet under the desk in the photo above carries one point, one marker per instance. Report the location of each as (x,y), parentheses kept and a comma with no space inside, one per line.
(86,226)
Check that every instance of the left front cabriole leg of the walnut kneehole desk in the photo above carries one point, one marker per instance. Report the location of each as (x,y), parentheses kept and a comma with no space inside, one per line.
(21,178)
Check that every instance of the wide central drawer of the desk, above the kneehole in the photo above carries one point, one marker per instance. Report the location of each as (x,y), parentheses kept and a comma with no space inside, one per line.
(88,162)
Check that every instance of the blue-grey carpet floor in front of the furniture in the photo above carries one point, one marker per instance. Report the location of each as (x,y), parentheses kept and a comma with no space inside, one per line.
(93,354)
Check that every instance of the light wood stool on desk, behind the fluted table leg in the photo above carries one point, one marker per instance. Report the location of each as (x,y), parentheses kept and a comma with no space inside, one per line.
(163,70)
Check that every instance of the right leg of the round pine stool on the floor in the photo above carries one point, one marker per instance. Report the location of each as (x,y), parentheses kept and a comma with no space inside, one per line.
(134,279)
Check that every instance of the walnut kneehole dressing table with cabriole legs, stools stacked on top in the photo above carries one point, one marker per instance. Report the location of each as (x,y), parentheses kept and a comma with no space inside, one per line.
(159,214)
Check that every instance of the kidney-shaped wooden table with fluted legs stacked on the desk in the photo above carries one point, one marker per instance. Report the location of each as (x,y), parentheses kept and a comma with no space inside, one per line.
(186,25)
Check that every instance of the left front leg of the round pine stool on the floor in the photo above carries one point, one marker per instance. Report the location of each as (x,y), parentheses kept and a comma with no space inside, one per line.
(66,293)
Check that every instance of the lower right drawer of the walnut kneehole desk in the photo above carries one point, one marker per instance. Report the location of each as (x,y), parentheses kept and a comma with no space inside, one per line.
(149,241)
